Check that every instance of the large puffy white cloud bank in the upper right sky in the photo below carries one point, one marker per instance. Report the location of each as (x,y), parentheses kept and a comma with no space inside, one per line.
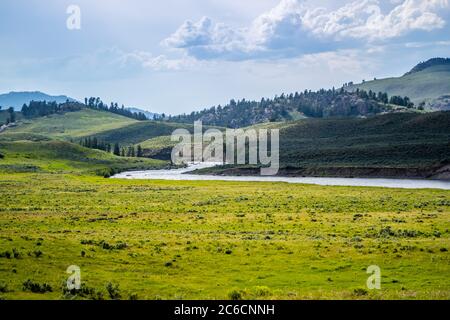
(292,27)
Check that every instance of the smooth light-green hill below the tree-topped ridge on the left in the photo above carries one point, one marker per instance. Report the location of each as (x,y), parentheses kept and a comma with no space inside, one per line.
(74,124)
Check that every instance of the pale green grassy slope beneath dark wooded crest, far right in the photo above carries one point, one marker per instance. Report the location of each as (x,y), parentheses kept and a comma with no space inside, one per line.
(425,85)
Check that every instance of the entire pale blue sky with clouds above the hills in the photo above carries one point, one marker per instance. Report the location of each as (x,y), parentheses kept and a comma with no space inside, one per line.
(176,56)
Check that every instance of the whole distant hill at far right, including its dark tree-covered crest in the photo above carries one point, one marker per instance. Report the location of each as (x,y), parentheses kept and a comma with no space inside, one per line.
(428,82)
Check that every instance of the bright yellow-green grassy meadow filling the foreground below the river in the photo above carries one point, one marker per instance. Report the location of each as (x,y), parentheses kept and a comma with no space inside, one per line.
(219,240)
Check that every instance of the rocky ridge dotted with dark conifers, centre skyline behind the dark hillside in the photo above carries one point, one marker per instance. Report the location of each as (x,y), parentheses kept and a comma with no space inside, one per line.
(320,104)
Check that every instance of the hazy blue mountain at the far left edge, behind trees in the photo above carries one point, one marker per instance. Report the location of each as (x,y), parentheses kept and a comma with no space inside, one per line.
(17,99)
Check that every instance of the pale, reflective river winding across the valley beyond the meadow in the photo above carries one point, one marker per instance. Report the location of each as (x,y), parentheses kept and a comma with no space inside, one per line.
(183,174)
